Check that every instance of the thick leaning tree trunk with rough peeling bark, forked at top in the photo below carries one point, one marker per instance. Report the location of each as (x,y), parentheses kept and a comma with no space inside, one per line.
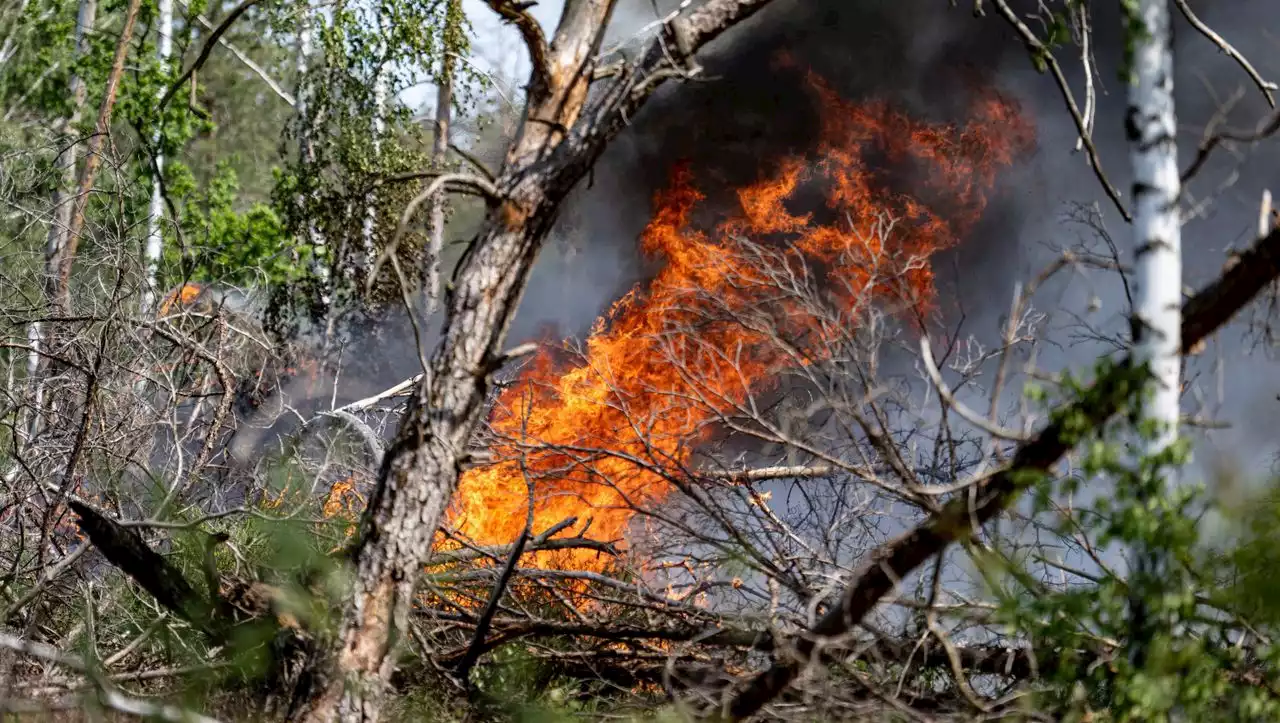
(560,138)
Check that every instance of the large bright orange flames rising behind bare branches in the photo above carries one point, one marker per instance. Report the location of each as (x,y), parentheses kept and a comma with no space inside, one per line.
(609,431)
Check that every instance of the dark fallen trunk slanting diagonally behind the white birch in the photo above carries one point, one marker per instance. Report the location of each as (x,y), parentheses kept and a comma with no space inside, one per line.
(1203,315)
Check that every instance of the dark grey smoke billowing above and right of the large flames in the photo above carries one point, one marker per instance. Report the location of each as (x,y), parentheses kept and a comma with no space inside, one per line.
(747,112)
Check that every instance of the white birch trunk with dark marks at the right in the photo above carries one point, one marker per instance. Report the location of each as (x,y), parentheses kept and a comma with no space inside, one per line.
(1153,134)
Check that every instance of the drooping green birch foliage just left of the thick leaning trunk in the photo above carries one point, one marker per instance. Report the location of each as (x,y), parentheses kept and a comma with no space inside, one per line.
(353,144)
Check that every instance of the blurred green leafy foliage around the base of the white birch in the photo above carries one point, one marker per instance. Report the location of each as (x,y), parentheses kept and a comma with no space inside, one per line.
(1195,614)
